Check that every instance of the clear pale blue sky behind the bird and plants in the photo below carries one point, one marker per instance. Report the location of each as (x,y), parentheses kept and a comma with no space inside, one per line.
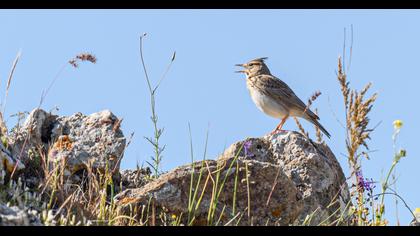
(202,88)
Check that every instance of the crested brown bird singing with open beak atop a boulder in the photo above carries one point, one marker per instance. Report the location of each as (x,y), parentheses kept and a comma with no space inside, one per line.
(274,97)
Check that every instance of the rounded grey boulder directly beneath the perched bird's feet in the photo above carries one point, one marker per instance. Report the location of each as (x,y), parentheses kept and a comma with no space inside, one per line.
(311,166)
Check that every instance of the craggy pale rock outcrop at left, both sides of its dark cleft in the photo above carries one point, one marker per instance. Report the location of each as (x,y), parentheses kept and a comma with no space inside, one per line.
(95,140)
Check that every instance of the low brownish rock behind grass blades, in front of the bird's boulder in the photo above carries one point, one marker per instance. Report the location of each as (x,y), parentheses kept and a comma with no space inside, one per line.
(171,191)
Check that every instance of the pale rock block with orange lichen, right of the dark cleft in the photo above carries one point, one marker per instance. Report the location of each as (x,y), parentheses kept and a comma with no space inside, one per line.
(94,140)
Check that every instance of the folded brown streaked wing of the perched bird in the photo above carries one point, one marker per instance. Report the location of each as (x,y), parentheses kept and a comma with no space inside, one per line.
(280,90)
